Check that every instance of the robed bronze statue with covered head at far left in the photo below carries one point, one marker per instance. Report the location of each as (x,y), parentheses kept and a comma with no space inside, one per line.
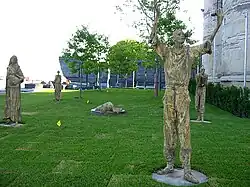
(14,78)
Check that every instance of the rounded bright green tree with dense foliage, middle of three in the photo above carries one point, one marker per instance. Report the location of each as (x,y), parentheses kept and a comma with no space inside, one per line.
(123,57)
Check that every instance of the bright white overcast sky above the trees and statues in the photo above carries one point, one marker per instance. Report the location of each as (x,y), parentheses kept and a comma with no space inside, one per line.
(36,31)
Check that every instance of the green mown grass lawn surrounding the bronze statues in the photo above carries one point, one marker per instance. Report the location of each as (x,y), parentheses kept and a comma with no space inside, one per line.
(114,151)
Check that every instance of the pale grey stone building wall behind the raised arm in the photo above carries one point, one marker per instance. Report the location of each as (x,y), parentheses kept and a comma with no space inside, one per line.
(229,42)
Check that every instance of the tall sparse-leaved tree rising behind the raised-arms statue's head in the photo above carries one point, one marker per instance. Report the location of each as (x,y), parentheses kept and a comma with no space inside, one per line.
(147,10)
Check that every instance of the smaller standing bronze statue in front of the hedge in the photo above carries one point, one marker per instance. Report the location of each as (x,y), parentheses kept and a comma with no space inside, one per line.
(200,95)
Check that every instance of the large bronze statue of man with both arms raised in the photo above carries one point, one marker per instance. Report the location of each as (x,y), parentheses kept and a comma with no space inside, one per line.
(178,60)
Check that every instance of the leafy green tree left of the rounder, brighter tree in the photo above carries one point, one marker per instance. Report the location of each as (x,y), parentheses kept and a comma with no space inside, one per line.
(86,51)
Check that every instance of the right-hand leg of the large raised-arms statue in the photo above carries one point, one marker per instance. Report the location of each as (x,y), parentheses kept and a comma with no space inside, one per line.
(183,122)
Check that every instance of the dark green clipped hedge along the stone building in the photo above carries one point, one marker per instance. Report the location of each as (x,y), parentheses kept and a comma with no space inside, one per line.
(235,100)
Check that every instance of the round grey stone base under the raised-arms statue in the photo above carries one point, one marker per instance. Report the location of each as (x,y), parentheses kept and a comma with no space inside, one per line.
(177,178)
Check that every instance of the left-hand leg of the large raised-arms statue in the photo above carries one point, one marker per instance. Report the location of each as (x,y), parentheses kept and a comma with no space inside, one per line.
(169,130)
